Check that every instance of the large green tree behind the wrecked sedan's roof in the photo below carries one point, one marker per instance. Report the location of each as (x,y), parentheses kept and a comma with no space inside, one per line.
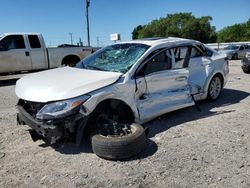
(183,25)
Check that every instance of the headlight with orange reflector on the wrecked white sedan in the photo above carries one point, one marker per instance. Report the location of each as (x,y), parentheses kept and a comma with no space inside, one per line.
(61,108)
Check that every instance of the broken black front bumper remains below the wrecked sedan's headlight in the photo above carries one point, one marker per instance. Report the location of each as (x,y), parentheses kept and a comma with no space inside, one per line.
(52,131)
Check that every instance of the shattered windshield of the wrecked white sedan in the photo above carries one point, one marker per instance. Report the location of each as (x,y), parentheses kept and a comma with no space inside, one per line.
(114,58)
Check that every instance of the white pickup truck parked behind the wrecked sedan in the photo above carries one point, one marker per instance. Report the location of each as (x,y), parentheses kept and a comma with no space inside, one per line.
(27,52)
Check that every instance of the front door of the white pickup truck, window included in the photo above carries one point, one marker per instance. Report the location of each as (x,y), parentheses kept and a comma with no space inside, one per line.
(14,56)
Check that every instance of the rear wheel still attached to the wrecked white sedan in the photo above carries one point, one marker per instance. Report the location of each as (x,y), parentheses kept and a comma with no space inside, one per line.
(214,88)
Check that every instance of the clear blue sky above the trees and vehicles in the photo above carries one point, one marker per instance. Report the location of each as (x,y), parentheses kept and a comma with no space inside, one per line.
(56,19)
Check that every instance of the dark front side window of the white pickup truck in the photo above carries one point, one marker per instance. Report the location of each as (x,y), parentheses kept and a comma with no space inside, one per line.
(13,42)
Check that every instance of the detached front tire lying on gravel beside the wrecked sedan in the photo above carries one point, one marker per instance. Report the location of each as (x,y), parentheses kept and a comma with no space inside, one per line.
(119,147)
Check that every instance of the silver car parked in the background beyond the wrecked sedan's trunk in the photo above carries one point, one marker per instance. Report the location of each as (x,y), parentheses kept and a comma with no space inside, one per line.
(236,51)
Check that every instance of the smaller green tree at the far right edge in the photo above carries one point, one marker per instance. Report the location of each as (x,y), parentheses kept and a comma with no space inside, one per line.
(235,33)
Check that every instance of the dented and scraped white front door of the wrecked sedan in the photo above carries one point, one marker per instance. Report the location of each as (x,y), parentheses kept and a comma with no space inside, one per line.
(162,84)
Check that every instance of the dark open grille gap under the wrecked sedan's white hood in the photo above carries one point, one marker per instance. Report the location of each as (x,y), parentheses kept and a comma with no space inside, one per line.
(30,107)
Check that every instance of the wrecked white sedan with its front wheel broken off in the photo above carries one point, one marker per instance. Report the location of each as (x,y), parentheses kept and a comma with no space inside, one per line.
(117,87)
